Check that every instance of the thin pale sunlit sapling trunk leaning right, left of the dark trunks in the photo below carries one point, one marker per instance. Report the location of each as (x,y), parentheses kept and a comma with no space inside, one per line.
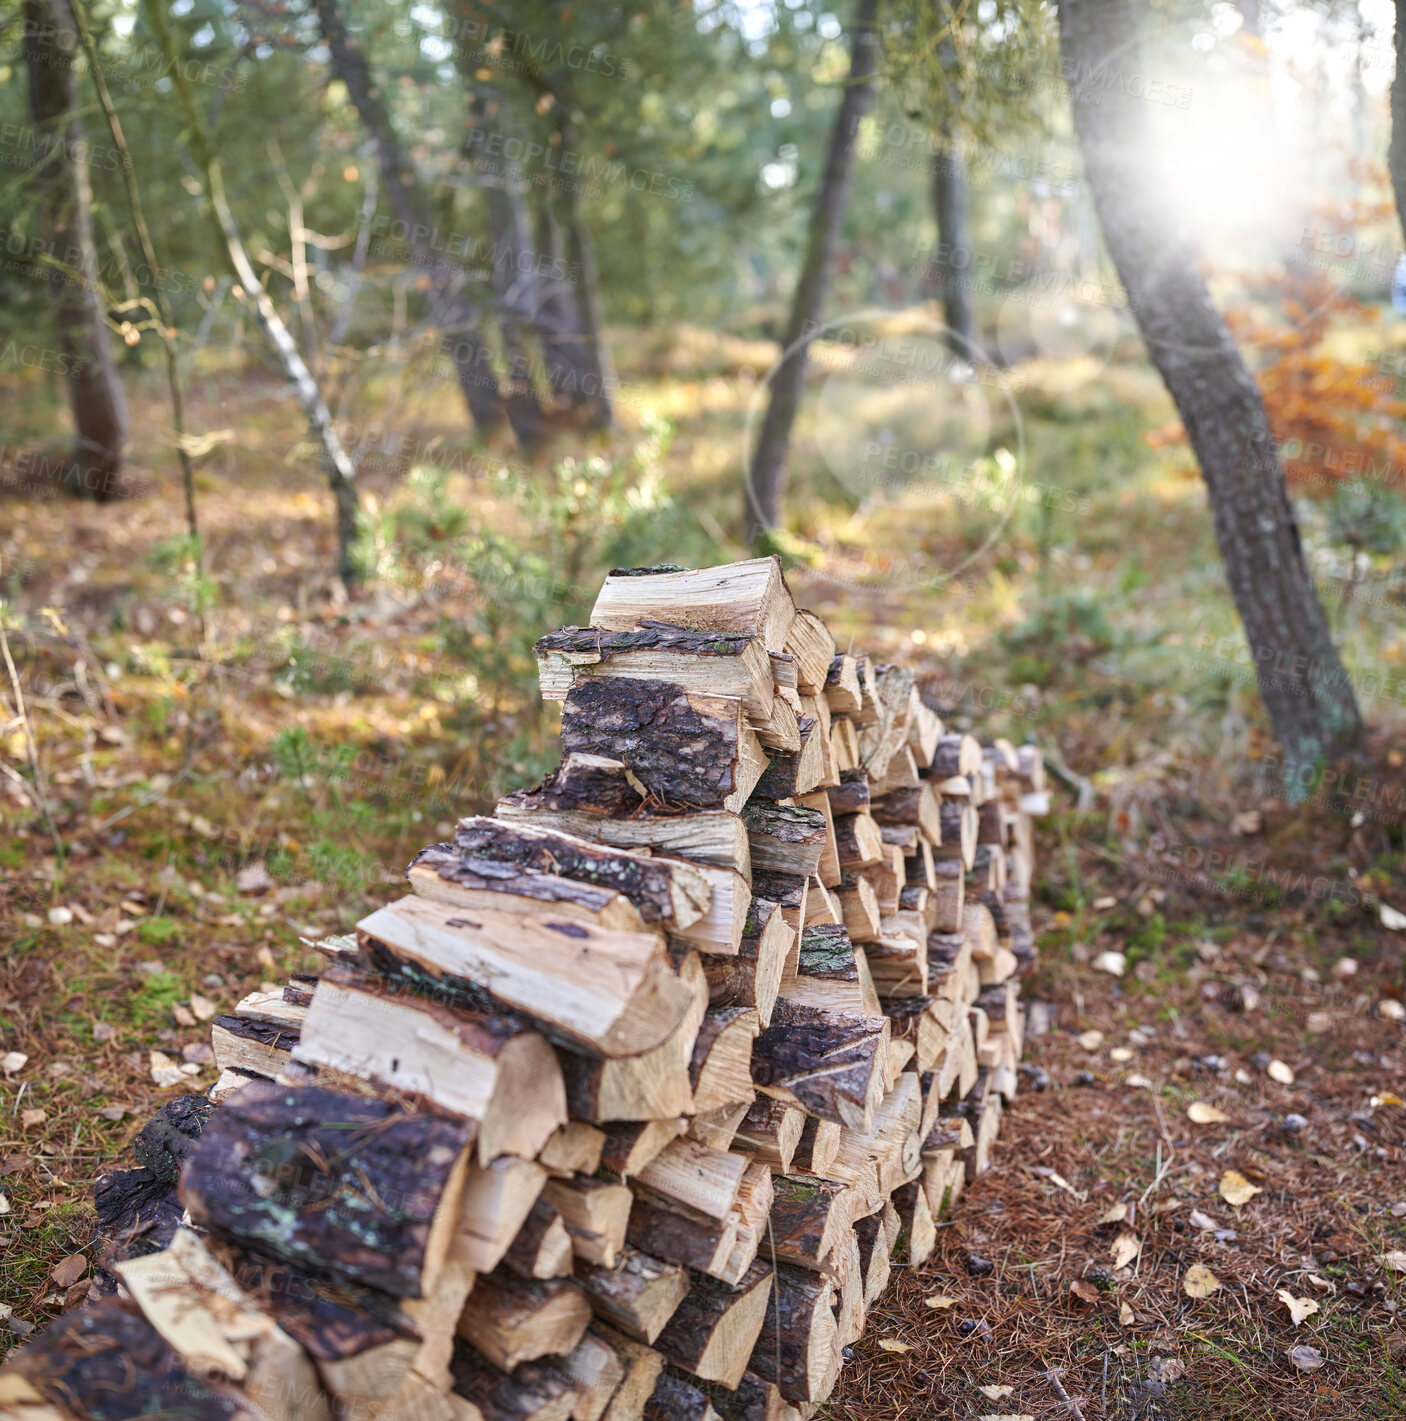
(342,474)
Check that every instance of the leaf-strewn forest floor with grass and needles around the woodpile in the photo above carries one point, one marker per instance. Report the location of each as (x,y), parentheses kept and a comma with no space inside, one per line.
(240,761)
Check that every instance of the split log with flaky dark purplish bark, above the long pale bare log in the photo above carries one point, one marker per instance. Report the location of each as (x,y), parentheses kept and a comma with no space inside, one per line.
(557,870)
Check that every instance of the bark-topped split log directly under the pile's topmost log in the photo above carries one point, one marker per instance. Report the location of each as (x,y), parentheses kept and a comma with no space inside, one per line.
(710,663)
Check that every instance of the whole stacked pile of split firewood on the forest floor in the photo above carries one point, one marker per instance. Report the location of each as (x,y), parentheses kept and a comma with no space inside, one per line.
(632,1105)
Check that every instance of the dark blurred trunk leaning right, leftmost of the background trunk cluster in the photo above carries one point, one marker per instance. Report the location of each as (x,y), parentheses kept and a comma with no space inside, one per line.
(463,340)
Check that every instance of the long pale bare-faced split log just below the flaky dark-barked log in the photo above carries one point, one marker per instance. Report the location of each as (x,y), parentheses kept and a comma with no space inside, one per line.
(612,993)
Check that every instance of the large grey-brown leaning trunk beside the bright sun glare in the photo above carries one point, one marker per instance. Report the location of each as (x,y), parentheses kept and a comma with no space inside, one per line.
(1302,679)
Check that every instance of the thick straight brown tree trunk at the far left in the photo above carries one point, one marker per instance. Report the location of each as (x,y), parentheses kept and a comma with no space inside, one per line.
(66,217)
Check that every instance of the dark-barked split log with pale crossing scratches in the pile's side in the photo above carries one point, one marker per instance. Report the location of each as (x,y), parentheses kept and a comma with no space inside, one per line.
(830,1065)
